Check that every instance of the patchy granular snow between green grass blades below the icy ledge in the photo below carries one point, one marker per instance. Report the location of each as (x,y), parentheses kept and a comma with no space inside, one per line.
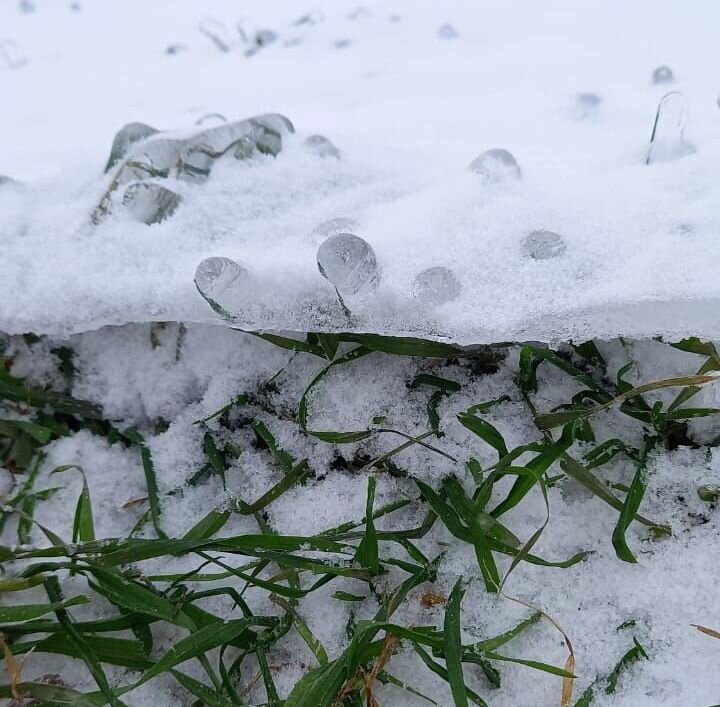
(673,585)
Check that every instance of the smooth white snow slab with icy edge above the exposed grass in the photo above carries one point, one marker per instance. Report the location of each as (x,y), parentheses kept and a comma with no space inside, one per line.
(409,109)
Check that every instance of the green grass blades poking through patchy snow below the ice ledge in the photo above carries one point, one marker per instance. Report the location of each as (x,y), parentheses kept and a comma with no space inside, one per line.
(236,655)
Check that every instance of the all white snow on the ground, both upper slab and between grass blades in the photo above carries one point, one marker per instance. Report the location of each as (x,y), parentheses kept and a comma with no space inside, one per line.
(409,103)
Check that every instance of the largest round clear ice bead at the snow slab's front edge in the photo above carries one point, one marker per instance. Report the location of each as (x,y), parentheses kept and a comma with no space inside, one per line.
(349,263)
